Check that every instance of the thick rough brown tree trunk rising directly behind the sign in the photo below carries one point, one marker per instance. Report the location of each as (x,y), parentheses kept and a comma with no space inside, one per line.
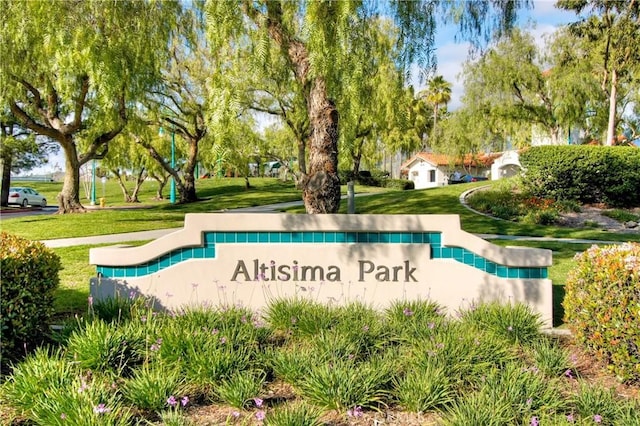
(321,187)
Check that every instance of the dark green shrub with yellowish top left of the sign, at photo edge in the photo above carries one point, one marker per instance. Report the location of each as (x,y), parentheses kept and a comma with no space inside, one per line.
(29,280)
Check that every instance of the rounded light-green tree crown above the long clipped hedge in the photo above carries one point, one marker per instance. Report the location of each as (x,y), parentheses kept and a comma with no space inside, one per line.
(514,85)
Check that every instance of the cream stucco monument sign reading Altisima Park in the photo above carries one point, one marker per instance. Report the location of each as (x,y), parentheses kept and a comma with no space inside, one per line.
(251,259)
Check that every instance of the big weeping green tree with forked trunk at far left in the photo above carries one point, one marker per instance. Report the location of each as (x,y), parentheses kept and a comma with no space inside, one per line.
(73,71)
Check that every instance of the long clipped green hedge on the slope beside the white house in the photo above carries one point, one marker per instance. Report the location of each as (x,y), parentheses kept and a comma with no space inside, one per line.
(584,174)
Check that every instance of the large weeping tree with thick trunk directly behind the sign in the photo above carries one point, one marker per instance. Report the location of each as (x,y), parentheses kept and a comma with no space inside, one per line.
(314,38)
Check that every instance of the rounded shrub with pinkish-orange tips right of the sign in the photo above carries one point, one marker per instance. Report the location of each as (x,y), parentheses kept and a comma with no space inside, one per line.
(602,305)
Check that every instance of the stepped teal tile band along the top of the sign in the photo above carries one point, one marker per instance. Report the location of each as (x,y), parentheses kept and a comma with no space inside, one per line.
(207,250)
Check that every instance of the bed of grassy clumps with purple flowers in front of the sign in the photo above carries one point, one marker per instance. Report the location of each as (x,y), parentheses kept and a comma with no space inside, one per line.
(459,371)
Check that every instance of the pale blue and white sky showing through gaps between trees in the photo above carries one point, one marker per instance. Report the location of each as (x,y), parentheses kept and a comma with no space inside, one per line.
(544,18)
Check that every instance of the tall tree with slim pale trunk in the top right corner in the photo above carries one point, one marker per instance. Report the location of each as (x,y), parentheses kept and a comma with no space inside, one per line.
(612,34)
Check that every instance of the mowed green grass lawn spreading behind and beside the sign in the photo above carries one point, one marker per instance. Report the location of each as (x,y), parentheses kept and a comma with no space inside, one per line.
(226,194)
